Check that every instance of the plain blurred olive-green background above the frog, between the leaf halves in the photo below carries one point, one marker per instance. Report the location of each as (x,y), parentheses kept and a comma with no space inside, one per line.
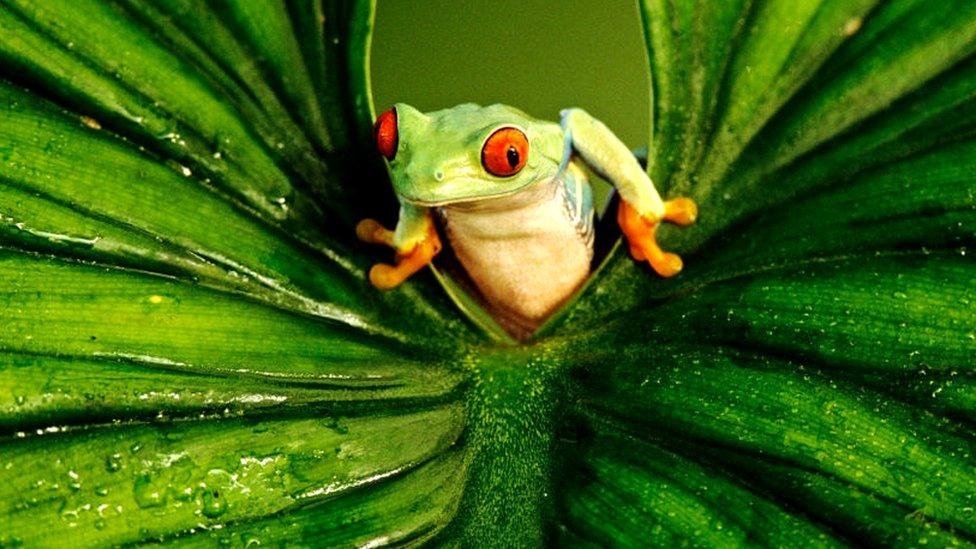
(534,55)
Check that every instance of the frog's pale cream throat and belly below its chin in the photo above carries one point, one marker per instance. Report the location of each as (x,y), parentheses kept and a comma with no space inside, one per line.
(523,252)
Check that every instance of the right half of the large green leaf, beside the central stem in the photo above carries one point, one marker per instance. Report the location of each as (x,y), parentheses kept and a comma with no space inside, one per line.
(819,347)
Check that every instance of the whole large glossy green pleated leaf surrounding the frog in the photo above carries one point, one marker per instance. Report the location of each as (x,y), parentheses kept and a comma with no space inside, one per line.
(190,352)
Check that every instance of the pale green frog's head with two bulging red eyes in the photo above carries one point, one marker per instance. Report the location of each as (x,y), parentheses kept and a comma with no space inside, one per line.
(465,153)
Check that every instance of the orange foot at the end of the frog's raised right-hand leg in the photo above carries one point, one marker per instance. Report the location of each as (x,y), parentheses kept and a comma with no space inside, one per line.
(640,232)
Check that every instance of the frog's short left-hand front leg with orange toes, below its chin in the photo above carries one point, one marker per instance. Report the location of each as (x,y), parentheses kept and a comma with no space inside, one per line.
(415,241)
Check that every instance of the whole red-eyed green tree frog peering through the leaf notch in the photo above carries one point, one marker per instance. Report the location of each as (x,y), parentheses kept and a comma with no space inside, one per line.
(512,198)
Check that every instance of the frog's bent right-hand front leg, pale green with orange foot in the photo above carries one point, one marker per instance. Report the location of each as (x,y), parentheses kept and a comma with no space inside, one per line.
(641,208)
